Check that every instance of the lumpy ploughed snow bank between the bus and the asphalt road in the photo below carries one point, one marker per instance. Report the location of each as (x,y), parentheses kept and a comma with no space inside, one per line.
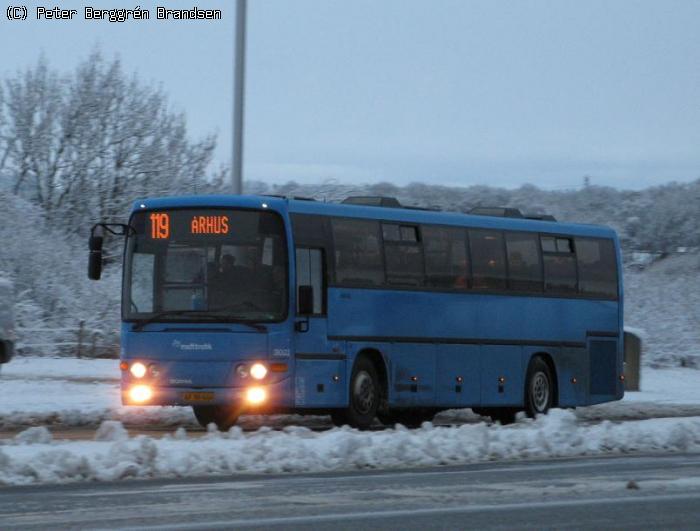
(33,458)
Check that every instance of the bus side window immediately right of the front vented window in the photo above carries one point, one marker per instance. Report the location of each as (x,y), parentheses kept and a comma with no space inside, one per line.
(446,263)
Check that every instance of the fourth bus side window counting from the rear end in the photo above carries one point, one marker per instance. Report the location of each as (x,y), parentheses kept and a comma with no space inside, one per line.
(488,259)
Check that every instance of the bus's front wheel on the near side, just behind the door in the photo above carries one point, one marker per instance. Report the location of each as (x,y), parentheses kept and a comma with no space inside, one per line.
(364,396)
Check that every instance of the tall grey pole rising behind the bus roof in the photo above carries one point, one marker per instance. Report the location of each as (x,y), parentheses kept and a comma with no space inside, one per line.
(238,98)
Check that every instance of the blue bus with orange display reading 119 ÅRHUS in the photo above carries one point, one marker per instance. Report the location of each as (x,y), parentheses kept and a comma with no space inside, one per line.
(363,310)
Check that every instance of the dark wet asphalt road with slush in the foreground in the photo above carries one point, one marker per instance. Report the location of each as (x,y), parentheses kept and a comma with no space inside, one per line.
(623,492)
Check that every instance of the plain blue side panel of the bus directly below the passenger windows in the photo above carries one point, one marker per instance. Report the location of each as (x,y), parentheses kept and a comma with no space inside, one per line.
(470,317)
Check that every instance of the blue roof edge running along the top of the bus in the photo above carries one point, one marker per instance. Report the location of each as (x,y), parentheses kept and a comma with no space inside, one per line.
(407,215)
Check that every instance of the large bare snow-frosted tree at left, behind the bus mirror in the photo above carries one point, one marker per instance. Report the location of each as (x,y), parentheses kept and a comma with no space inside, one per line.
(82,146)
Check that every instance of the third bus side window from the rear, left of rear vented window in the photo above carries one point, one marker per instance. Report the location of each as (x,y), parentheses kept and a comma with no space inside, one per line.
(524,266)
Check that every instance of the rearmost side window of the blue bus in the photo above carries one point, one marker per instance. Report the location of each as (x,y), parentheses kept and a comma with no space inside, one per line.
(597,267)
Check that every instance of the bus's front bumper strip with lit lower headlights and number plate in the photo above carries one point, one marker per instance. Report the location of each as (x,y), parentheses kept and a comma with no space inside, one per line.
(255,397)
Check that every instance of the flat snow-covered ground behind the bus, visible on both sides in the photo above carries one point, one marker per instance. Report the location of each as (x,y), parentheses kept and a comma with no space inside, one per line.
(72,392)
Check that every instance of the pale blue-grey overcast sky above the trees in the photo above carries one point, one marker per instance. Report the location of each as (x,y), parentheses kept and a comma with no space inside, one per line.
(448,92)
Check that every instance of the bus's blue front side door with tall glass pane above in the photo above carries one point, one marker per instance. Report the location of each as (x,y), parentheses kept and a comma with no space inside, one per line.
(320,364)
